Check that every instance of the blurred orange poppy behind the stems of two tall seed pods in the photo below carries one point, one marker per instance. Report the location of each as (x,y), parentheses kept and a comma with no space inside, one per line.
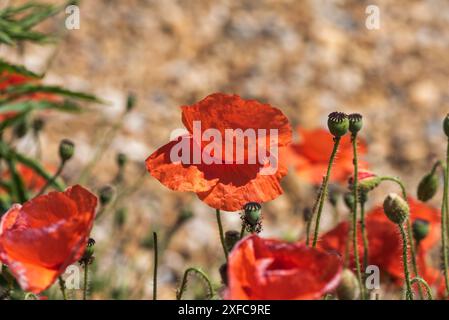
(310,156)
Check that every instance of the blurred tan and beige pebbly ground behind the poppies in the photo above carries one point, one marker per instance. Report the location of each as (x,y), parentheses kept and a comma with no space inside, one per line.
(306,57)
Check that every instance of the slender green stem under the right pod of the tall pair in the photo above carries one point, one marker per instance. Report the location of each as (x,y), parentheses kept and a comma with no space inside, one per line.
(354,218)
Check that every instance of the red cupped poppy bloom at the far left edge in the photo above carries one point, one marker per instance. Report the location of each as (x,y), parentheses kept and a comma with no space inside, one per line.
(40,238)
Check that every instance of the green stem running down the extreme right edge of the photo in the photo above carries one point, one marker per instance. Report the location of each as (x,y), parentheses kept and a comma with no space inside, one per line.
(444,216)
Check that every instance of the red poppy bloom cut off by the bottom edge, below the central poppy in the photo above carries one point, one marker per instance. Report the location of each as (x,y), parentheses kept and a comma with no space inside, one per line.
(261,269)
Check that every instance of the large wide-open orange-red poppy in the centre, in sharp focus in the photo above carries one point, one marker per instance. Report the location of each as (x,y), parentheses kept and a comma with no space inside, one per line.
(230,181)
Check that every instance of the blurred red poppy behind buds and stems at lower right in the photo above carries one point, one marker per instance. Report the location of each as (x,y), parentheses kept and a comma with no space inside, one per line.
(385,244)
